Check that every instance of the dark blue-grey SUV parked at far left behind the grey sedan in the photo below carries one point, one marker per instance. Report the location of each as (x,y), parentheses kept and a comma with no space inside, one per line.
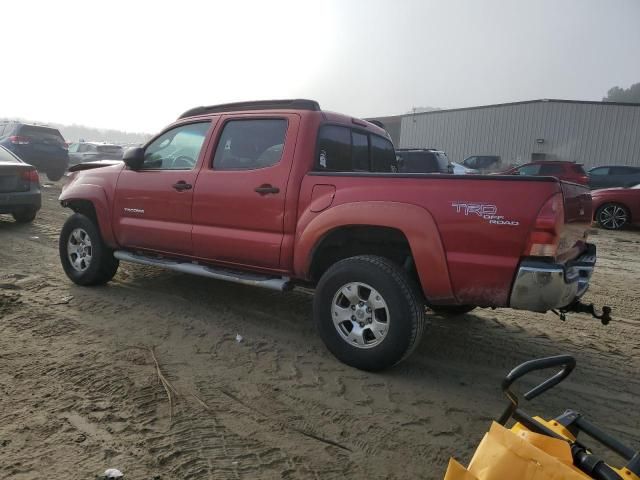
(40,146)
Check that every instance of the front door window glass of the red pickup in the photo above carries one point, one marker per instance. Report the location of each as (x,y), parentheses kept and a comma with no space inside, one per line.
(176,149)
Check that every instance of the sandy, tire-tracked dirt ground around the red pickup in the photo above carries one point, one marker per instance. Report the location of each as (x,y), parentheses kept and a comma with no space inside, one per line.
(79,391)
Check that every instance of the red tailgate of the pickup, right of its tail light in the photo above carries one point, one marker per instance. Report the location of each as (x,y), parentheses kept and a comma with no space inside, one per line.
(577,220)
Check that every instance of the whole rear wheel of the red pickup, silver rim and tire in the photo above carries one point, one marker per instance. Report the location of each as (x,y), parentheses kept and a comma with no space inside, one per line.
(369,313)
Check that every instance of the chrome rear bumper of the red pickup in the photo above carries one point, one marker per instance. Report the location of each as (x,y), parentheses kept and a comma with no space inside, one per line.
(541,286)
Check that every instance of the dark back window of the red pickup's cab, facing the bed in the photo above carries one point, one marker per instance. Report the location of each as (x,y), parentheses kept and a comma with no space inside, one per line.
(342,149)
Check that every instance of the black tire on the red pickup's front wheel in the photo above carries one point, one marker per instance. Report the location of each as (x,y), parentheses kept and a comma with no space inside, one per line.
(102,265)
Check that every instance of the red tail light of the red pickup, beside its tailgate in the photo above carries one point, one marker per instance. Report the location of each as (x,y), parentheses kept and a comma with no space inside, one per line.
(547,229)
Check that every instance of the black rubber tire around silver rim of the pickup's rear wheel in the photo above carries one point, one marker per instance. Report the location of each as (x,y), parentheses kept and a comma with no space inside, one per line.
(403,303)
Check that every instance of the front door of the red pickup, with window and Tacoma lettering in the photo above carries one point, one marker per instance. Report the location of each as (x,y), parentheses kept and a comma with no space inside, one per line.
(152,205)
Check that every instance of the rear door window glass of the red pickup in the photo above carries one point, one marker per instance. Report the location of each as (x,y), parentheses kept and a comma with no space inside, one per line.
(250,144)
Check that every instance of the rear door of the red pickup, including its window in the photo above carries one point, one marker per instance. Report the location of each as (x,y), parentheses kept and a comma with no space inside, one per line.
(239,197)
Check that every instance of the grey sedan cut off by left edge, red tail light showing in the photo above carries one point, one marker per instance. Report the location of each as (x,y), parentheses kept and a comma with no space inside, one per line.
(19,187)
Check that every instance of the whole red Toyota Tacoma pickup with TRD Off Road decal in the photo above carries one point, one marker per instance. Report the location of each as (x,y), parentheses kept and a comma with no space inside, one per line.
(280,193)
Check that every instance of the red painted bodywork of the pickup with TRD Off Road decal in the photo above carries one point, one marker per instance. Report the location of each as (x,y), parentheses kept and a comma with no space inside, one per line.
(467,234)
